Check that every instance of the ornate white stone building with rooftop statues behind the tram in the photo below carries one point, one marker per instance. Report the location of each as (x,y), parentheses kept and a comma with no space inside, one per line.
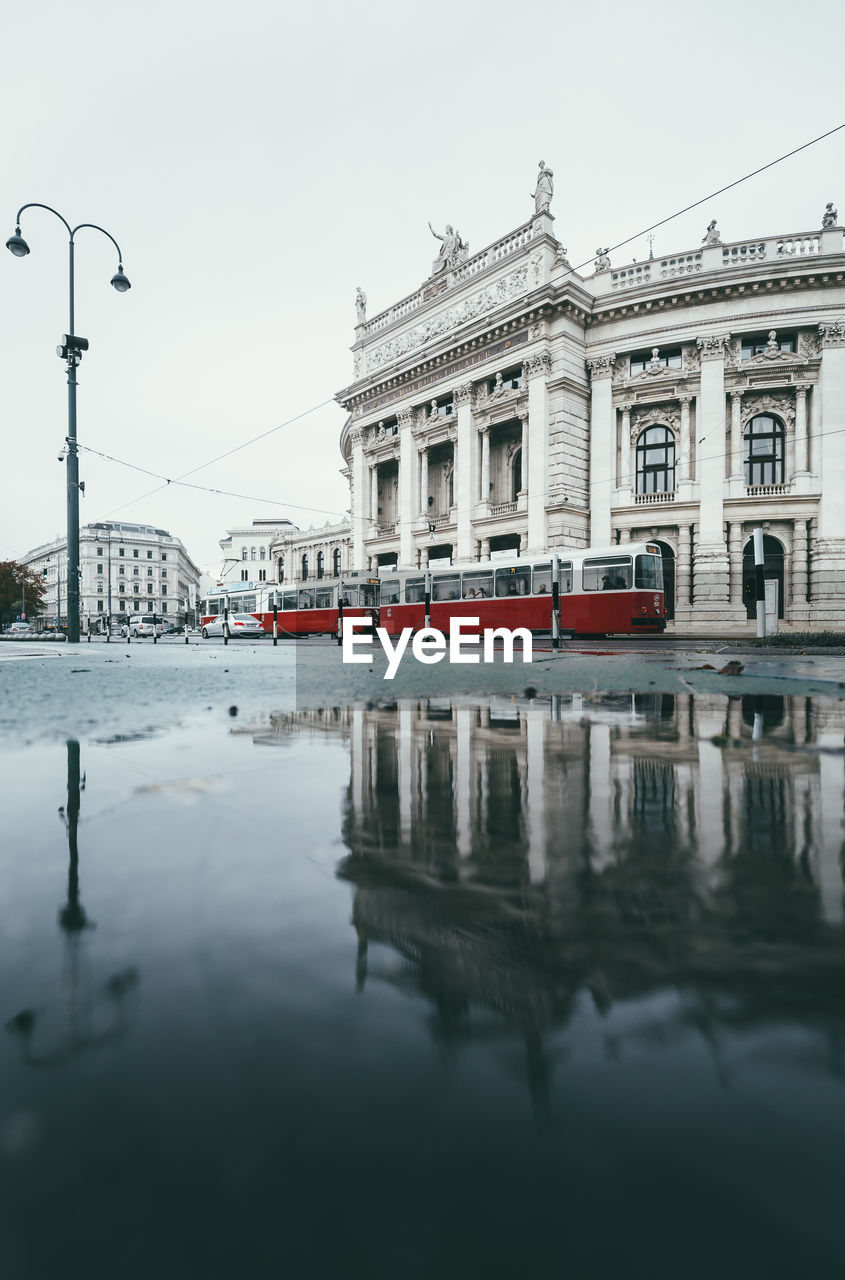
(511,403)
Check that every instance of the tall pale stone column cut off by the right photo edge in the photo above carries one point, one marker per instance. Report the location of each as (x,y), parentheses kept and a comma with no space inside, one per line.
(829,550)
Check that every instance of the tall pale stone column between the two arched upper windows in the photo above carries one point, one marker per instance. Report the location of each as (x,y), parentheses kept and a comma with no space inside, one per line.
(711,579)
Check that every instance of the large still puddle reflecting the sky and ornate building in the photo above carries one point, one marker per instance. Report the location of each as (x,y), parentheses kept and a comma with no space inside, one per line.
(456,989)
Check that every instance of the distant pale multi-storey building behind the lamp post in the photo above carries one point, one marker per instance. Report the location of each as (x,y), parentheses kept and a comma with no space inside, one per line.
(125,569)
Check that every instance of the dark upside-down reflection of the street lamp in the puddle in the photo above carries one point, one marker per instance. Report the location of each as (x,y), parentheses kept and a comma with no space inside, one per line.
(88,1025)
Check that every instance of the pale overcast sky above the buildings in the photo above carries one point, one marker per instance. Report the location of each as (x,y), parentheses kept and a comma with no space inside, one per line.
(258,162)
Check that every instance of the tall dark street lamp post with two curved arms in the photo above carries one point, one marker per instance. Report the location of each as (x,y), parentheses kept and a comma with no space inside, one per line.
(71,350)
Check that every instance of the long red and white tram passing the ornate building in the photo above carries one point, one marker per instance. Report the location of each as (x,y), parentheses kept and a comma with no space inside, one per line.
(615,591)
